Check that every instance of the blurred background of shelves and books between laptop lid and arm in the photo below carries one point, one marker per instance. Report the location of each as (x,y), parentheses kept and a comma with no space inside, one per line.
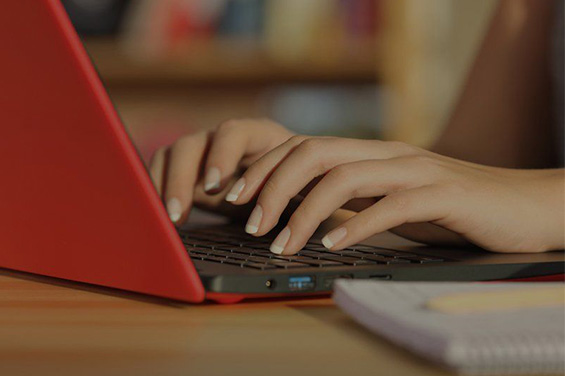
(388,69)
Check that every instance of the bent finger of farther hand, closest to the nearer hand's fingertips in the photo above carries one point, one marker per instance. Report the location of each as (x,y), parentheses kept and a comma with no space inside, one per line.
(234,140)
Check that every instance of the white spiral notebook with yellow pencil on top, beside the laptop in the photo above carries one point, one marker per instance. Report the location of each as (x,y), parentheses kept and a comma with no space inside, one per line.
(473,328)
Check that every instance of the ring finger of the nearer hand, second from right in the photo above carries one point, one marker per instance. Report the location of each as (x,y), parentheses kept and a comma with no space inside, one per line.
(339,186)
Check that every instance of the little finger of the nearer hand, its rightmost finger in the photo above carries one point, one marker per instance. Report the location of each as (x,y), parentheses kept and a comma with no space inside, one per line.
(419,205)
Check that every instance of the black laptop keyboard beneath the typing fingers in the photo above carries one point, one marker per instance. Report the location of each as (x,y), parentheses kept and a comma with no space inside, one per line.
(232,247)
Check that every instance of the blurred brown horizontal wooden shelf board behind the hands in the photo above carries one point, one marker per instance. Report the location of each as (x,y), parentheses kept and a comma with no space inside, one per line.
(241,62)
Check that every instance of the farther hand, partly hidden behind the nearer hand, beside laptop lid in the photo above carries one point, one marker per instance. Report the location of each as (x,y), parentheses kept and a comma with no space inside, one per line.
(199,169)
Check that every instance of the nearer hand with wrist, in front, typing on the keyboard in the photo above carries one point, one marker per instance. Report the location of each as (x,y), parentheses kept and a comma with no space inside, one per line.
(501,210)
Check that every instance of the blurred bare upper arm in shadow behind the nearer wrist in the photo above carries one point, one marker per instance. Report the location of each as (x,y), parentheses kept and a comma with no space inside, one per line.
(503,117)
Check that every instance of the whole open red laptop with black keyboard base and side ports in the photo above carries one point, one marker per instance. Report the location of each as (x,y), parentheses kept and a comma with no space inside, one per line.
(76,202)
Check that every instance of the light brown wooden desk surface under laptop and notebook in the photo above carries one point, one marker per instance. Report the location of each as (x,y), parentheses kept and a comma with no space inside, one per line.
(48,327)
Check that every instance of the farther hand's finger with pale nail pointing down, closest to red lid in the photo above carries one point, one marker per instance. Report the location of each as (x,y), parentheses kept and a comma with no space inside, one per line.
(185,162)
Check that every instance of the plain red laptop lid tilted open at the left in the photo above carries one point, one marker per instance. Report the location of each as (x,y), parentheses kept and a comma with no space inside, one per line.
(75,199)
